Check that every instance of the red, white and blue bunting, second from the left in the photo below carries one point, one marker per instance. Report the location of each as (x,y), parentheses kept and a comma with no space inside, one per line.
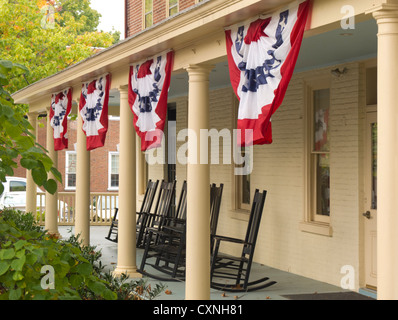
(93,108)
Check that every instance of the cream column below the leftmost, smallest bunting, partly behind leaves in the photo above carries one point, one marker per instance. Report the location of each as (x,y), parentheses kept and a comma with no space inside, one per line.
(51,215)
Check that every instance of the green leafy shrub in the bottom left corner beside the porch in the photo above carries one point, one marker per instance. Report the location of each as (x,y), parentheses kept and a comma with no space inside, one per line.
(76,270)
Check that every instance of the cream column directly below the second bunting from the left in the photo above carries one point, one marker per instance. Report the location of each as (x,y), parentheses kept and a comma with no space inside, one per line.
(82,214)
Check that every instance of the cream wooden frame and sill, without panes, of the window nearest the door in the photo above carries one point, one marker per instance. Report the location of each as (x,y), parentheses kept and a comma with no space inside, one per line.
(313,222)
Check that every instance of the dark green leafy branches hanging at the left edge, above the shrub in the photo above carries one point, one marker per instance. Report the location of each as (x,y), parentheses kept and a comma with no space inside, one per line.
(16,141)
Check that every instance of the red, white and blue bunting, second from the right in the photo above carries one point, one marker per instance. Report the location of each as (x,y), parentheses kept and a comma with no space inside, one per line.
(149,83)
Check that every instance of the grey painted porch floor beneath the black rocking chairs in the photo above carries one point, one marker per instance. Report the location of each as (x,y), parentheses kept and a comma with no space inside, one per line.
(287,283)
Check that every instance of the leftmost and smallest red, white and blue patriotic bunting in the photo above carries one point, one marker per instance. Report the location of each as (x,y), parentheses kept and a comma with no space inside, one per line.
(61,106)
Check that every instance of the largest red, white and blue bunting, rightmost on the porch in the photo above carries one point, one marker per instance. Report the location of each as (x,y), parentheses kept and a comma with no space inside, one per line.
(261,58)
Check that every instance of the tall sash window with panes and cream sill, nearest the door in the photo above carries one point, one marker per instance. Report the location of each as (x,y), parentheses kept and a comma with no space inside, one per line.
(317,212)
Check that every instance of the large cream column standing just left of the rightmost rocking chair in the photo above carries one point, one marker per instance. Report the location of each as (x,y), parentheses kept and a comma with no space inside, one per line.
(198,193)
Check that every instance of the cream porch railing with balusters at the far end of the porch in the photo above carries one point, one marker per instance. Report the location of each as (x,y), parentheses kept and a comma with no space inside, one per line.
(102,207)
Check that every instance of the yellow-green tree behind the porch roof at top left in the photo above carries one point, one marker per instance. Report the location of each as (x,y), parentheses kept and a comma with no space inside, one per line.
(47,37)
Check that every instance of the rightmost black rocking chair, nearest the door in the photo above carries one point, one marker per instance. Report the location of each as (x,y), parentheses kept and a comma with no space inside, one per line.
(238,268)
